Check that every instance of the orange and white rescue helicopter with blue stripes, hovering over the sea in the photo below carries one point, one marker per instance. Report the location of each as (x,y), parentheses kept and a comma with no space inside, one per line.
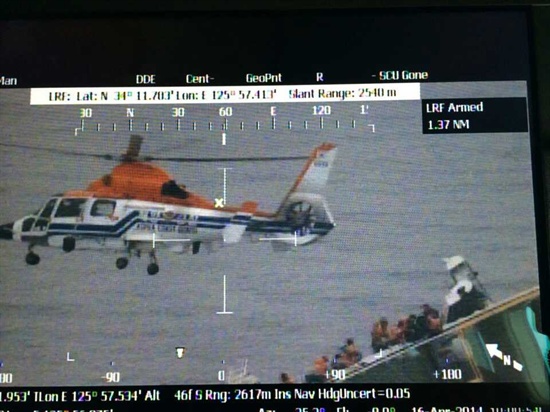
(138,208)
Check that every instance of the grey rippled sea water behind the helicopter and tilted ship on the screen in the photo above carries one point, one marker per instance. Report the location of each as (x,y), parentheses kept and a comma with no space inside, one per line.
(401,201)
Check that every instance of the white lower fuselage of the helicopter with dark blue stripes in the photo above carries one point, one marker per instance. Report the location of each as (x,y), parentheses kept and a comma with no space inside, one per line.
(119,224)
